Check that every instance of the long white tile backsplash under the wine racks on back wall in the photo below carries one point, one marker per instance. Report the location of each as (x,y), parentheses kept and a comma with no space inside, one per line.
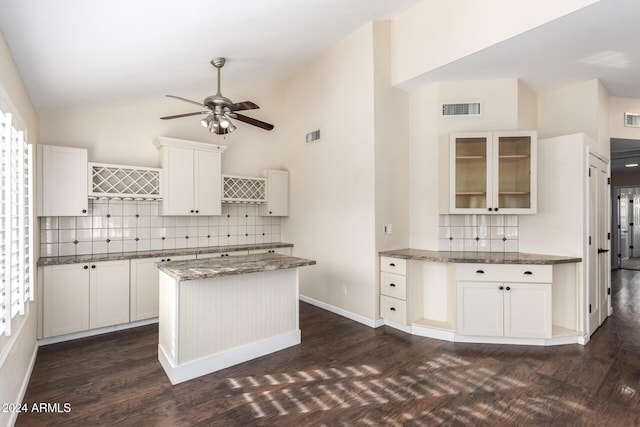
(127,226)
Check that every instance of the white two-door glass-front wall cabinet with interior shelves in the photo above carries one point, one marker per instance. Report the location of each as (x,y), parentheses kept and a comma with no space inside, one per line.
(493,172)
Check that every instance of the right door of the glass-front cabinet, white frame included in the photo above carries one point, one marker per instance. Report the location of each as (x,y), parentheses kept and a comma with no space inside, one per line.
(514,172)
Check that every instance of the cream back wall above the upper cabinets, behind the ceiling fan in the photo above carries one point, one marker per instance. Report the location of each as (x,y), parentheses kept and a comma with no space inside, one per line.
(124,134)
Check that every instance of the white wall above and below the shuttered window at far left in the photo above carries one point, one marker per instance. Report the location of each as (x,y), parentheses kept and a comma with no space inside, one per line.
(17,352)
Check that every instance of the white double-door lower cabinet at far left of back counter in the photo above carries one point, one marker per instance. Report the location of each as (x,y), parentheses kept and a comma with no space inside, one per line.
(79,297)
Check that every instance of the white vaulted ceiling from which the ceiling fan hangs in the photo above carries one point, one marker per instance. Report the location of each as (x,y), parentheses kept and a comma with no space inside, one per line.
(78,52)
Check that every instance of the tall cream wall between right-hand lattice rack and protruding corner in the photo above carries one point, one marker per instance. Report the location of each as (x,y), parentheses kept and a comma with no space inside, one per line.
(332,180)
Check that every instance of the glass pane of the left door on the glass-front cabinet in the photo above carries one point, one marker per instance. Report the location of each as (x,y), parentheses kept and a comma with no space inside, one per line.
(471,172)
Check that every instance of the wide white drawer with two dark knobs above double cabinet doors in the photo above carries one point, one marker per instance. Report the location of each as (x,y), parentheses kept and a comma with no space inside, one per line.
(520,273)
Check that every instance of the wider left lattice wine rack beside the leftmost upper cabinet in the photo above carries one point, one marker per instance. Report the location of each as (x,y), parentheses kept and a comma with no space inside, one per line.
(126,182)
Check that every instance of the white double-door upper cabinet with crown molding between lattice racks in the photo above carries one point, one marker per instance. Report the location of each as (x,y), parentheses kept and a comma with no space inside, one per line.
(192,177)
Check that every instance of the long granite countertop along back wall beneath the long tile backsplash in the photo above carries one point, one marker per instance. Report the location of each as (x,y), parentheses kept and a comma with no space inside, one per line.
(78,259)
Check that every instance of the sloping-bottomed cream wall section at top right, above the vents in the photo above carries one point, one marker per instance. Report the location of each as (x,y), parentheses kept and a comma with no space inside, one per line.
(434,33)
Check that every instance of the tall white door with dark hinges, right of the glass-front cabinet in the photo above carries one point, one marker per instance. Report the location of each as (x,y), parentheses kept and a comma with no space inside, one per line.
(599,243)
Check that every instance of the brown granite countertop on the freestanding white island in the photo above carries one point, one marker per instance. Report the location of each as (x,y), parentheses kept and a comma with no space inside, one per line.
(242,264)
